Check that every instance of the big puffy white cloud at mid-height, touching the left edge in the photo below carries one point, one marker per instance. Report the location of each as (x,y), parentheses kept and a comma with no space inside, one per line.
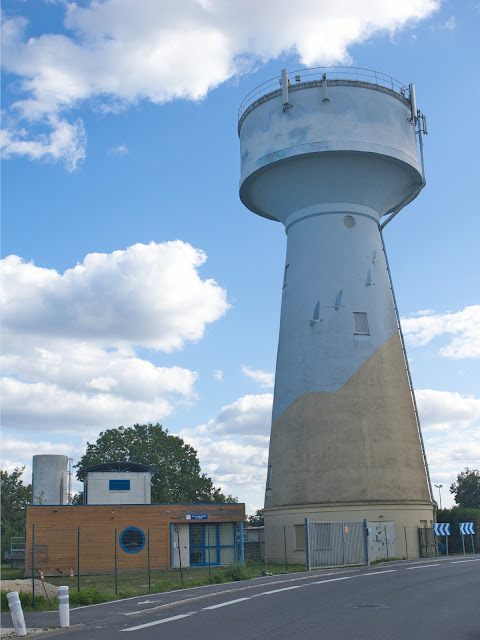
(149,295)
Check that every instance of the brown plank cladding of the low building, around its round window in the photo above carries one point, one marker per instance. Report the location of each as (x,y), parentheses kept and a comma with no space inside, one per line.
(56,535)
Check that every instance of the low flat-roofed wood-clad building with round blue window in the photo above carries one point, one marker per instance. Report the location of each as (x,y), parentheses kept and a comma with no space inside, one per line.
(76,541)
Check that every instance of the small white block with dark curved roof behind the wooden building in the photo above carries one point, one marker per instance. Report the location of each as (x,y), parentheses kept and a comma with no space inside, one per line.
(117,483)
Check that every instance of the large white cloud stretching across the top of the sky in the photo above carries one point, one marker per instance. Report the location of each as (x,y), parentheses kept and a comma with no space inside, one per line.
(120,52)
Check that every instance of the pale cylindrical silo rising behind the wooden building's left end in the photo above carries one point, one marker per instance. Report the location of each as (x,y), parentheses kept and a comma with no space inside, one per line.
(51,479)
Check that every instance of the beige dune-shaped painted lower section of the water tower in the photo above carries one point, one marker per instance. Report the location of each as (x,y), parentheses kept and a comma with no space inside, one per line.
(380,470)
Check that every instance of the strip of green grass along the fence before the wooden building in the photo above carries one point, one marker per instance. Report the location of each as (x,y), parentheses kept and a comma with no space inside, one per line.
(101,588)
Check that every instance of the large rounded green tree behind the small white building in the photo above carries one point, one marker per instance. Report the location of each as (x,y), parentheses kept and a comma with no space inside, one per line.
(178,477)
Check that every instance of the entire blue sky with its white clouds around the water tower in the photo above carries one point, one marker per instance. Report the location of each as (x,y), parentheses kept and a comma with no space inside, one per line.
(136,286)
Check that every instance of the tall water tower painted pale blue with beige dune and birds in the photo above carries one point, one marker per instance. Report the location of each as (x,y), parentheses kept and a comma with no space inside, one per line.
(328,153)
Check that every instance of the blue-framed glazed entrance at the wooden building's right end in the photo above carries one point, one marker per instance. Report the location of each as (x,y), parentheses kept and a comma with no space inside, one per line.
(212,544)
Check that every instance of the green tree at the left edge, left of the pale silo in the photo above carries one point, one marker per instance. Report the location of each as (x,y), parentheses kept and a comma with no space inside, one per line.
(15,497)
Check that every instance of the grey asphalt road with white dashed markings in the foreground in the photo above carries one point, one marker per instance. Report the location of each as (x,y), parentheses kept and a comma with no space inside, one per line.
(424,600)
